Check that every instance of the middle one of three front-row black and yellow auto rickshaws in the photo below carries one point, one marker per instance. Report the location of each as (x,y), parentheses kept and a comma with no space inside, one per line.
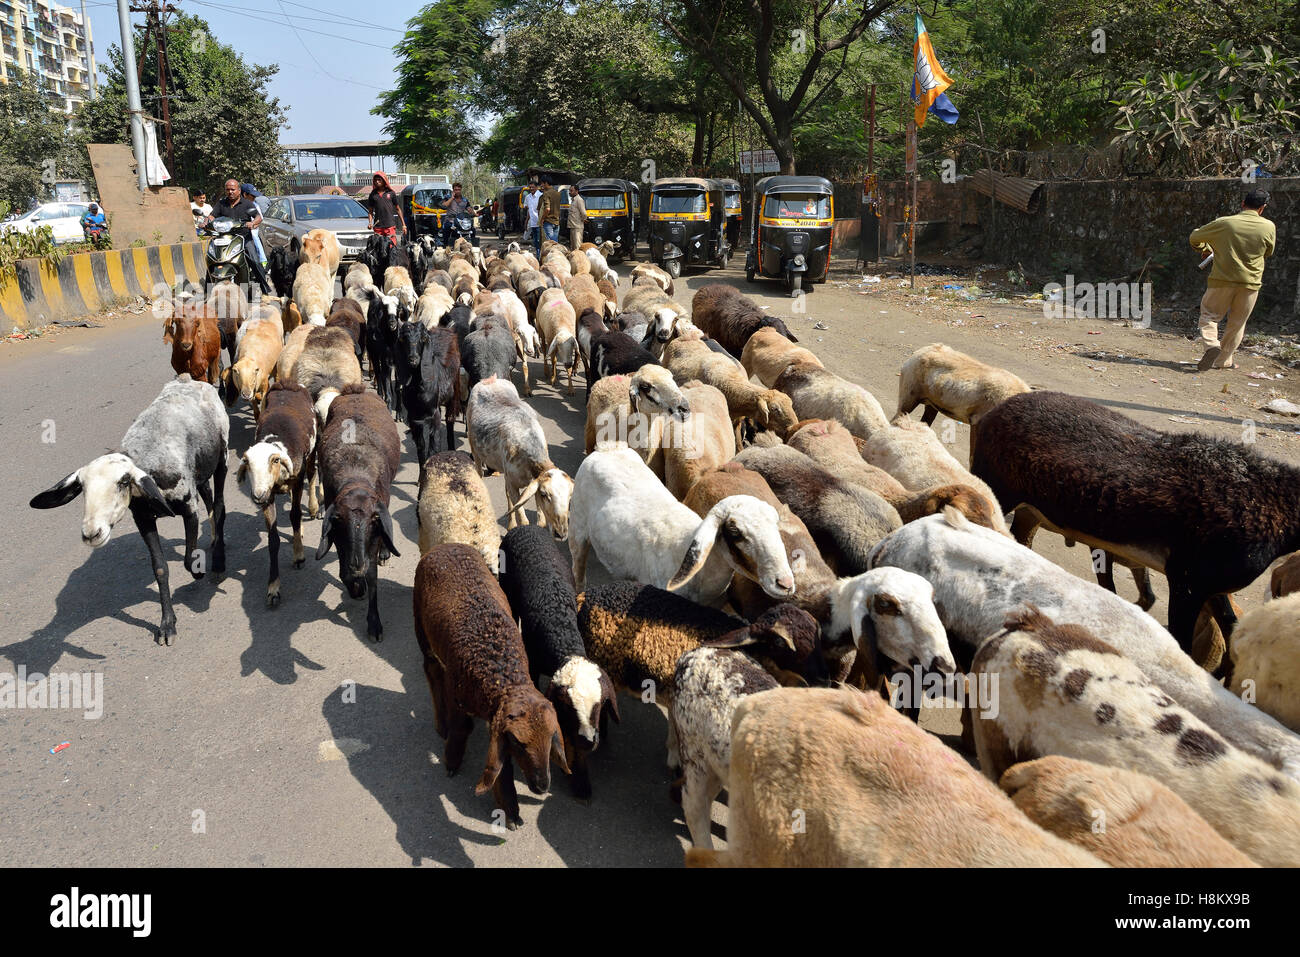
(688,224)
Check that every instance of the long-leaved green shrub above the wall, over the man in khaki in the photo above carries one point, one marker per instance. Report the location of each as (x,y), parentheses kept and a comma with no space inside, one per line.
(1240,107)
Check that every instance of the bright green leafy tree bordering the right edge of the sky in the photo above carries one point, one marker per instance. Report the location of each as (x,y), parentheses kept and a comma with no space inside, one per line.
(430,112)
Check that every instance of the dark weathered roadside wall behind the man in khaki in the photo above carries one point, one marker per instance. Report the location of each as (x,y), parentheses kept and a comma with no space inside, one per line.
(1106,231)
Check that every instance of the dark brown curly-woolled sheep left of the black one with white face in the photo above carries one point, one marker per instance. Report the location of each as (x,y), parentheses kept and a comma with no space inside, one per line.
(476,666)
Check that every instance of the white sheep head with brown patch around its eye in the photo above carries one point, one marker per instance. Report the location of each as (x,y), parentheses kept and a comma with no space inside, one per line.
(892,616)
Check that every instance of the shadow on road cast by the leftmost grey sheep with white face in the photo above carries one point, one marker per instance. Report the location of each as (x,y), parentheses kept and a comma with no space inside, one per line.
(115,578)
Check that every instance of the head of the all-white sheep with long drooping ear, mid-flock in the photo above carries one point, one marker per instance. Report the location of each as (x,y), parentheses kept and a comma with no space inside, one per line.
(752,540)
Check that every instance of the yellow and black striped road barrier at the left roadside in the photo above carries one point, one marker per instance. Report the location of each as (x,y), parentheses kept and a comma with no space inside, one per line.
(90,282)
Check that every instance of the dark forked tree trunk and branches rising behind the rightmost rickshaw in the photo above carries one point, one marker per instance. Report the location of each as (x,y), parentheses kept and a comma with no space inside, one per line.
(820,34)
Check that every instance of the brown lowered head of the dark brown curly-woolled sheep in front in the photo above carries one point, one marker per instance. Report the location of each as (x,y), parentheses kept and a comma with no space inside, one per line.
(525,729)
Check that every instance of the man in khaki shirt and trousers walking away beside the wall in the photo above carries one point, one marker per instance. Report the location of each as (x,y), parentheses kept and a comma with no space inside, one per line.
(1241,244)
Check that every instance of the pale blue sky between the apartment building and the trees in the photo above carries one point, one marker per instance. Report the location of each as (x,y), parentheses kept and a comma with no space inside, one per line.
(335,57)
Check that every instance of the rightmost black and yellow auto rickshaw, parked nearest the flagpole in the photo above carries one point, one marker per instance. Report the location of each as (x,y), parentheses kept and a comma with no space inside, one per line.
(791,231)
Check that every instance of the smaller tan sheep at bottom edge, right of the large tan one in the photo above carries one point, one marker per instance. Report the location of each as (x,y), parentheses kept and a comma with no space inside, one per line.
(1124,817)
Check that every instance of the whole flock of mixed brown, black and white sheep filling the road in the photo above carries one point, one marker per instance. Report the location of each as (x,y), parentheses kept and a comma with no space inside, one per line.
(769,530)
